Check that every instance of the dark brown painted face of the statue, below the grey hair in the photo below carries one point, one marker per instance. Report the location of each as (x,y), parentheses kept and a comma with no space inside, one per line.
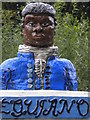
(38,31)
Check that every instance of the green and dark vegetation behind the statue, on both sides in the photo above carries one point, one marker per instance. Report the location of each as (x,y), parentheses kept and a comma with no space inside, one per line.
(71,37)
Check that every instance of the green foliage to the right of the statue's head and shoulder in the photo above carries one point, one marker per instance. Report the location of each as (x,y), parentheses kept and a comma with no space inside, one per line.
(72,40)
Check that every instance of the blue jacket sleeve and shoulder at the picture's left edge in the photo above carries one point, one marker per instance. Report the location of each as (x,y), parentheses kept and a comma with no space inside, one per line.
(6,71)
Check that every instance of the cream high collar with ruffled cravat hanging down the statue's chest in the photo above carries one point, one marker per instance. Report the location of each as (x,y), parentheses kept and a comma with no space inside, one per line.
(40,56)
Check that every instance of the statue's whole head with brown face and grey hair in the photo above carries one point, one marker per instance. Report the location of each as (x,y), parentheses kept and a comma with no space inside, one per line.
(38,24)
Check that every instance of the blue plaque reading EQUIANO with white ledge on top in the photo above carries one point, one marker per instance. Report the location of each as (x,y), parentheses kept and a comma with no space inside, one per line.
(39,104)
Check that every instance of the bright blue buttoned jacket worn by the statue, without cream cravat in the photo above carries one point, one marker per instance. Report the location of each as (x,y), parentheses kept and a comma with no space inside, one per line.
(18,74)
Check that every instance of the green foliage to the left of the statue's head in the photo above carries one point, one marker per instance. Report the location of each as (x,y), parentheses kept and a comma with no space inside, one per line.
(11,34)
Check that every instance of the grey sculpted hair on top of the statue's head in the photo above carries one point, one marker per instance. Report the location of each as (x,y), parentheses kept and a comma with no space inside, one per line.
(38,8)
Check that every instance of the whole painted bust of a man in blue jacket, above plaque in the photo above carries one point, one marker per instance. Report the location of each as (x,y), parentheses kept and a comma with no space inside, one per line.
(37,66)
